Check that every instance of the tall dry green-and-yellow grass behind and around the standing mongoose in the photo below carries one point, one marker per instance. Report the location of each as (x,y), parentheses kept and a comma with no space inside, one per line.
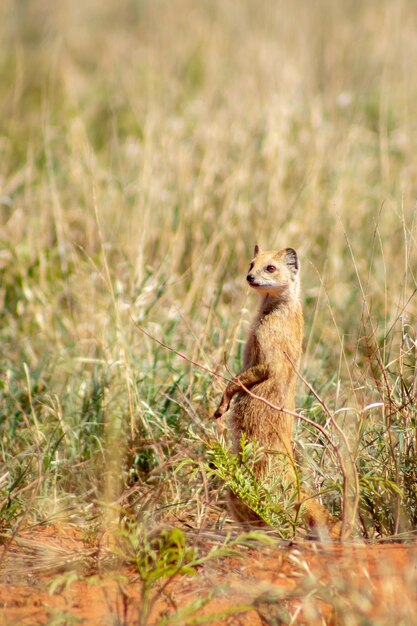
(145,147)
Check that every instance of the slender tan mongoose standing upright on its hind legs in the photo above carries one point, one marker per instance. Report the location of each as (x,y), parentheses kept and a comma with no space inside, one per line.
(272,351)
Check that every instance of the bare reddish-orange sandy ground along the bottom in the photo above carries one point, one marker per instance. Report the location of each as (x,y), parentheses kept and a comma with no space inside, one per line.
(51,575)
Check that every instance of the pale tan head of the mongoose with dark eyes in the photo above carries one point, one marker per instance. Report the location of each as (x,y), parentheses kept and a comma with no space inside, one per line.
(275,273)
